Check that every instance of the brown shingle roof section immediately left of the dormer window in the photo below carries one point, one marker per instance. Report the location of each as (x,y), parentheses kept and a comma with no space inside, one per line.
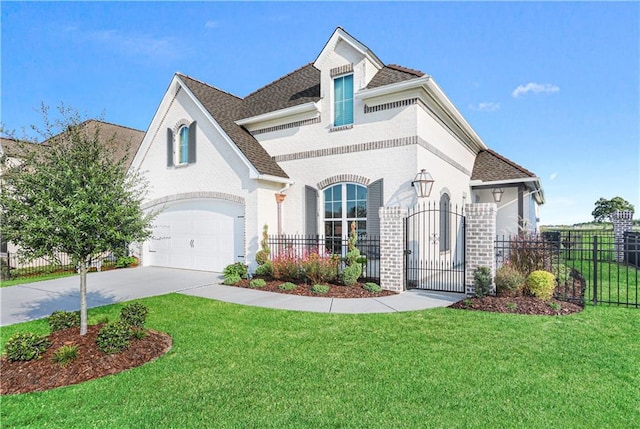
(298,87)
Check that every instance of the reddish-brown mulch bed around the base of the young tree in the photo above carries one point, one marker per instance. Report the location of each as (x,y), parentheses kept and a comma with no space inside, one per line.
(44,374)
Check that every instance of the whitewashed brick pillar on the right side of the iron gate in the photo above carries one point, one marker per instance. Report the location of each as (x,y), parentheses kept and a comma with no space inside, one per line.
(481,234)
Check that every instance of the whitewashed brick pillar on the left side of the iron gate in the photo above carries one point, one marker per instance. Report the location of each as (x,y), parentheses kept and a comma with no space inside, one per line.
(392,274)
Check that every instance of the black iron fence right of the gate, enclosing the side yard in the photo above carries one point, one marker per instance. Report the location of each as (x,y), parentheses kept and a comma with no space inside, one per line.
(590,265)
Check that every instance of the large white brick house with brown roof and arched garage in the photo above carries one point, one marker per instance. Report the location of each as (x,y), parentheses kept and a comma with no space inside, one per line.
(324,146)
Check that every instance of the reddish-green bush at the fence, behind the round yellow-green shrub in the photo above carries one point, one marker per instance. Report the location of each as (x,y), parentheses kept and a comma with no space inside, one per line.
(529,252)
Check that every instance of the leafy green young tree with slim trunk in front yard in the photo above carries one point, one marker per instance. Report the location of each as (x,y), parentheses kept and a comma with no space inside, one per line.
(72,194)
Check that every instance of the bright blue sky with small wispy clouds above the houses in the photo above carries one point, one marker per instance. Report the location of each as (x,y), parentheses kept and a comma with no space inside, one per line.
(552,86)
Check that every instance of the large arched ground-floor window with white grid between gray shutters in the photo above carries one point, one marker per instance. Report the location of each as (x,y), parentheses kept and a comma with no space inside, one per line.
(344,203)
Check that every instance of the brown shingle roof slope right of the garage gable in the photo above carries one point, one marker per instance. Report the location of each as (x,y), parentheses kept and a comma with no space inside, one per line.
(226,108)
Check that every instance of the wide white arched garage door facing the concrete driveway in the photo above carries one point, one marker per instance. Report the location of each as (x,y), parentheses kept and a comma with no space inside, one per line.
(202,235)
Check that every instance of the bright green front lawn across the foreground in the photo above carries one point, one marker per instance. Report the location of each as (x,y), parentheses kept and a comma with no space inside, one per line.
(233,366)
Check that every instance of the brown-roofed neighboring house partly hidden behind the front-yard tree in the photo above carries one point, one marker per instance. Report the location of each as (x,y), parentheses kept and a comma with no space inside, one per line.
(124,141)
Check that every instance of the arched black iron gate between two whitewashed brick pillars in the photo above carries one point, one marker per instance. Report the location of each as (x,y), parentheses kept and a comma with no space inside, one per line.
(435,247)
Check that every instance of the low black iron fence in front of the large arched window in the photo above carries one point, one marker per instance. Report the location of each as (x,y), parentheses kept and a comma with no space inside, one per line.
(301,245)
